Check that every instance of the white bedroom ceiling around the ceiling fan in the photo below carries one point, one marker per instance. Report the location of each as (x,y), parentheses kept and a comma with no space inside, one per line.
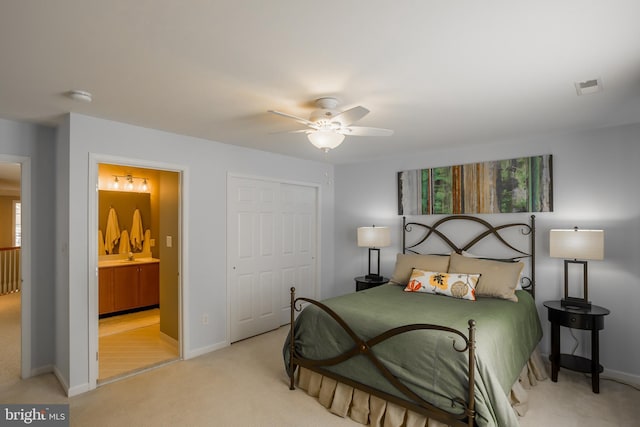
(437,72)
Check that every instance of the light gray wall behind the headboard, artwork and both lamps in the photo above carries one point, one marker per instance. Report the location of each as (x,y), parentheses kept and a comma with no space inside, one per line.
(596,179)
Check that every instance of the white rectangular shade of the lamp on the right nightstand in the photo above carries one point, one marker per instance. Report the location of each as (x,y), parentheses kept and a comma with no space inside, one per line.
(577,244)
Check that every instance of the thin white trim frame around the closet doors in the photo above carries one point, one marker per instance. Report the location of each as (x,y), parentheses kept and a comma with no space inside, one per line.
(318,276)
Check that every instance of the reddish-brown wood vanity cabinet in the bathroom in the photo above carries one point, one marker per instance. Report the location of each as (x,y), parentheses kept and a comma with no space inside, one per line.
(128,287)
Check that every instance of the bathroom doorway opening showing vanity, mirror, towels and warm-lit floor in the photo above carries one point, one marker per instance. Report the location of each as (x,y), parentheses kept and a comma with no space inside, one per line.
(139,286)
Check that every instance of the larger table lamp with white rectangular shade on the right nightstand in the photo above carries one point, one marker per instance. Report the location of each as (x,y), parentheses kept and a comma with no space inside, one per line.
(576,247)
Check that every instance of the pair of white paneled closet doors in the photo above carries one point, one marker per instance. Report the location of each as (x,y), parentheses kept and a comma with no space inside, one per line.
(271,246)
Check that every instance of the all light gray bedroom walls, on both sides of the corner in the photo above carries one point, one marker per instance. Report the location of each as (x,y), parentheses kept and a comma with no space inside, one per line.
(595,180)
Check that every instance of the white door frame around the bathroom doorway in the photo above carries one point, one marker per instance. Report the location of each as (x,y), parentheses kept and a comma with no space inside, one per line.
(183,327)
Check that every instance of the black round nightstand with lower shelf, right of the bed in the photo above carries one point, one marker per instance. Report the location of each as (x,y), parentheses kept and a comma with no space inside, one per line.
(577,318)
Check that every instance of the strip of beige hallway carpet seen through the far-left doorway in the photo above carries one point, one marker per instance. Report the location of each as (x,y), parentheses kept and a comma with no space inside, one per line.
(10,338)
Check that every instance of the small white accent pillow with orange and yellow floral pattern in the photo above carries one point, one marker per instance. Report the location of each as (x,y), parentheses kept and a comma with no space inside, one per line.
(457,285)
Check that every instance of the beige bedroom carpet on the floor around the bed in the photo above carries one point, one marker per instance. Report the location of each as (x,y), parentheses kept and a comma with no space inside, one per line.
(245,385)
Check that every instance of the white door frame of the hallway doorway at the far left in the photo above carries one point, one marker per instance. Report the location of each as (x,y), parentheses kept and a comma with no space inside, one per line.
(25,262)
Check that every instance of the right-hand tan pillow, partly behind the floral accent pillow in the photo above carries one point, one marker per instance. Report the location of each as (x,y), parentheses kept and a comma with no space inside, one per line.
(498,279)
